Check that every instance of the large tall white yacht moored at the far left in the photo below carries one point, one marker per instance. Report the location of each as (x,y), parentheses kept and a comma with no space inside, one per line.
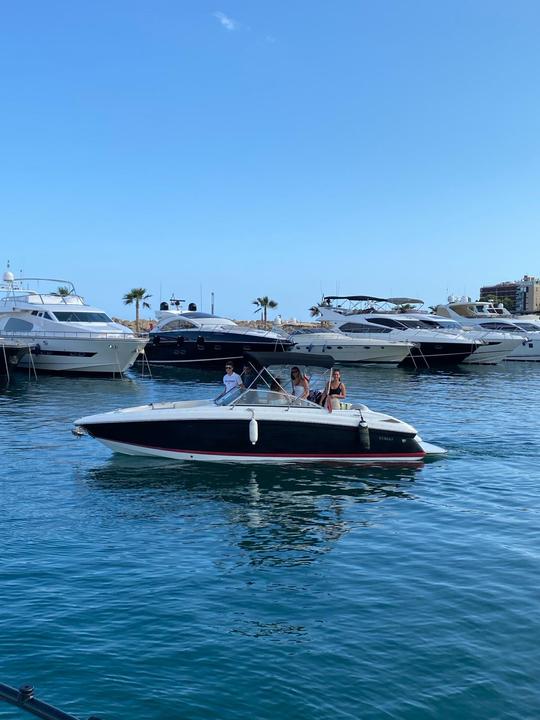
(70,337)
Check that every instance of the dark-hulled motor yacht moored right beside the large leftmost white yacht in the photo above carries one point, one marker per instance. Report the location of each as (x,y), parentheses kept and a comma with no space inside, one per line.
(193,339)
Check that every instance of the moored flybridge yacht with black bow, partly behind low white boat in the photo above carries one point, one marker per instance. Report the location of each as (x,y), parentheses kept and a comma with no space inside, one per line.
(368,316)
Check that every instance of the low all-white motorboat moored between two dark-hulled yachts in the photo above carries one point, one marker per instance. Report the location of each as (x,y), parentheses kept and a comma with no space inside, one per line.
(346,349)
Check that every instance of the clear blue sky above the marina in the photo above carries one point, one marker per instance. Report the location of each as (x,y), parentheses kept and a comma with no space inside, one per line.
(270,148)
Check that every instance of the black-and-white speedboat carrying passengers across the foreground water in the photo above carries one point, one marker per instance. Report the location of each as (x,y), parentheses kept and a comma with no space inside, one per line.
(259,425)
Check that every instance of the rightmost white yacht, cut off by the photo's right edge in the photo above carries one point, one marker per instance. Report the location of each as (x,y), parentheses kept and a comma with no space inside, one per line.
(491,318)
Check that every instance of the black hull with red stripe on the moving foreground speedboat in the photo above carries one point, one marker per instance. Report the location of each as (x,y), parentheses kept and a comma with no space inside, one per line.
(279,440)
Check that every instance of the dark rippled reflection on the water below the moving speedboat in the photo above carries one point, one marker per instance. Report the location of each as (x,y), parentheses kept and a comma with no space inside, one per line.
(279,515)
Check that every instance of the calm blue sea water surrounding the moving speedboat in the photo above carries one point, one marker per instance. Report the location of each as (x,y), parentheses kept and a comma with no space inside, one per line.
(159,590)
